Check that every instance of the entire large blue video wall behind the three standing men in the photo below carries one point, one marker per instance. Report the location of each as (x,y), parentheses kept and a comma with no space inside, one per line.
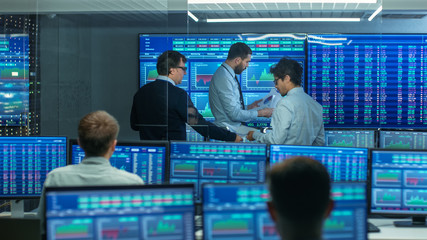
(362,81)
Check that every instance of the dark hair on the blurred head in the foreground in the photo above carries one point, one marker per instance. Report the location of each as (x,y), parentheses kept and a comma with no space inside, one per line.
(300,190)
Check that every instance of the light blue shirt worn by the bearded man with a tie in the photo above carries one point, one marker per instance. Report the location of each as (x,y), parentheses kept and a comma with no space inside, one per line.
(224,99)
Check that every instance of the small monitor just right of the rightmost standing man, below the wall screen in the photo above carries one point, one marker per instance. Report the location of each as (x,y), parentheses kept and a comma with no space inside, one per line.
(350,138)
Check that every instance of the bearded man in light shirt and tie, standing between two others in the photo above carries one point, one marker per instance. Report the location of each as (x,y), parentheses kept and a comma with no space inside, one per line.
(225,94)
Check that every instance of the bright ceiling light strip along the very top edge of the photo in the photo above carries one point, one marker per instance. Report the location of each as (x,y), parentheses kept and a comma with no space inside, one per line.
(278,1)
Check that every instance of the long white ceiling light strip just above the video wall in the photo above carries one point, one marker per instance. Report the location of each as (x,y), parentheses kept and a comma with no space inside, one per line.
(220,20)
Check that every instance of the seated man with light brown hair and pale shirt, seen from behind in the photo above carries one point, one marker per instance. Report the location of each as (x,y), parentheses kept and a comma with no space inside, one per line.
(97,133)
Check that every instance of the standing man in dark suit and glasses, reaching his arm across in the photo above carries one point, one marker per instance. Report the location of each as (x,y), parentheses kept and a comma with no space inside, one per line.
(160,109)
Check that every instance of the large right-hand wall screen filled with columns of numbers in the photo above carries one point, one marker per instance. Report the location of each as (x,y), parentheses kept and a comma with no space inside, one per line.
(369,80)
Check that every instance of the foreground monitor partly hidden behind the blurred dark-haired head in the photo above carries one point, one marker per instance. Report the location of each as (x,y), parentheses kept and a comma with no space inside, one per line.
(239,211)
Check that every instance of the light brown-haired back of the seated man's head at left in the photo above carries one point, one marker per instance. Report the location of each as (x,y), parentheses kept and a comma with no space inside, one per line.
(97,132)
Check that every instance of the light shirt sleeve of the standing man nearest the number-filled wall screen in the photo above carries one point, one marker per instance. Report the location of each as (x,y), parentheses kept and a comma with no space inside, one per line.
(281,122)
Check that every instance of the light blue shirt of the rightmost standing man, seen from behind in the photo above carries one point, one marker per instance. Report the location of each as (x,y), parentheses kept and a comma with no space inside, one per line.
(297,120)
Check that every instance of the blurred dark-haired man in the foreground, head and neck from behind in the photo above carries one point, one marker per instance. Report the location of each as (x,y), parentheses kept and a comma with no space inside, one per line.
(300,198)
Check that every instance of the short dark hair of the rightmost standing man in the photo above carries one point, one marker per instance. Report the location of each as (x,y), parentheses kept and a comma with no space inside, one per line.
(289,67)
